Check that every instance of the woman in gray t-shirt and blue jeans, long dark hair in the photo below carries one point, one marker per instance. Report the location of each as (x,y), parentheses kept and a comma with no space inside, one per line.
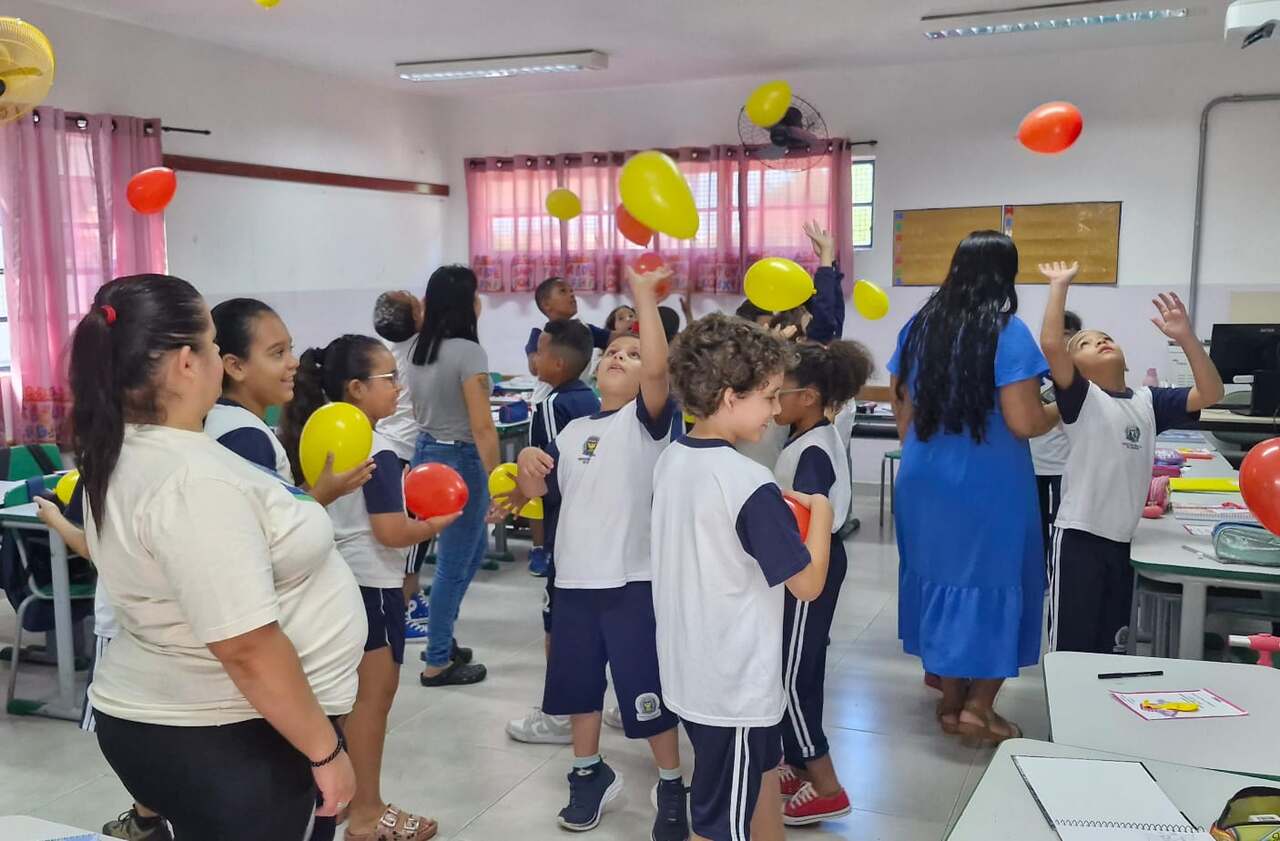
(449,380)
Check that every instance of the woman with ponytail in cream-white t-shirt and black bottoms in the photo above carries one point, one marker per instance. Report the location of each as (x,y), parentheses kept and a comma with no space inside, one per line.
(241,627)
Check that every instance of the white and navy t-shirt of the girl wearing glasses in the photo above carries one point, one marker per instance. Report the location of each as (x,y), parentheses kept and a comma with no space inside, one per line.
(372,563)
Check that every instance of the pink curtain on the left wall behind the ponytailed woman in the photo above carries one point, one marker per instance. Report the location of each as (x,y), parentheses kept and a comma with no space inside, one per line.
(68,230)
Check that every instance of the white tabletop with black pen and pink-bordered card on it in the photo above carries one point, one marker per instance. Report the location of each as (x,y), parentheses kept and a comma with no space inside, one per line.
(1084,714)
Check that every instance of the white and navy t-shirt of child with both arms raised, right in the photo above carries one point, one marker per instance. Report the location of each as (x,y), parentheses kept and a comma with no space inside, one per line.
(1113,446)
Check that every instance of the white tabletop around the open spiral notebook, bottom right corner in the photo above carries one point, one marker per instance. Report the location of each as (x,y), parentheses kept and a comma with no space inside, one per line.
(1003,806)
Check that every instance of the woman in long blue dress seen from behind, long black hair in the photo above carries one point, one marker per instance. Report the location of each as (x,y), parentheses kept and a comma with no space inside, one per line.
(966,378)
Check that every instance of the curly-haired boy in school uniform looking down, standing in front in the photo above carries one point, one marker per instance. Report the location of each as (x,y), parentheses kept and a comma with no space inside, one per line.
(724,542)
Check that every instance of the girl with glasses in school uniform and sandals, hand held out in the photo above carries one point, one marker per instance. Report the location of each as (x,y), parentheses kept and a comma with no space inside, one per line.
(373,533)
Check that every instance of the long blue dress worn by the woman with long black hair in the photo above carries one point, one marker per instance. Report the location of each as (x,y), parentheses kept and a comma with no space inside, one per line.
(971,554)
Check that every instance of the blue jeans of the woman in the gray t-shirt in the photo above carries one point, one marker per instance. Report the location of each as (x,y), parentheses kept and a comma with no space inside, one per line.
(460,550)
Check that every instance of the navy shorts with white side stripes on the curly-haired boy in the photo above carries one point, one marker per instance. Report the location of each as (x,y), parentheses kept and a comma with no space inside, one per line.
(729,766)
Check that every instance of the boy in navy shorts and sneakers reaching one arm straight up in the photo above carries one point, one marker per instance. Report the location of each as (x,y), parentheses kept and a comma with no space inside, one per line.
(600,468)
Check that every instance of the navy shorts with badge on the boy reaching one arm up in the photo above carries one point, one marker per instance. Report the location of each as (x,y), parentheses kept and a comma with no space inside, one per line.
(593,629)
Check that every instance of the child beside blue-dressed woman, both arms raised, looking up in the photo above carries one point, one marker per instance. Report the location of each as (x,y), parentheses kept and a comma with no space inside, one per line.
(1113,432)
